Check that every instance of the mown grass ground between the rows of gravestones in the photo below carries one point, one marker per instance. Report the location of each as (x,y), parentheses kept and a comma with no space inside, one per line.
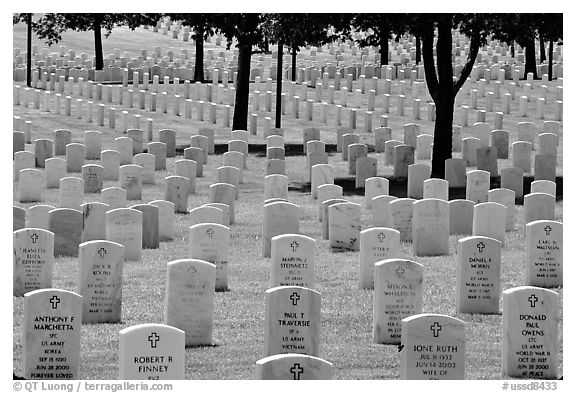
(346,312)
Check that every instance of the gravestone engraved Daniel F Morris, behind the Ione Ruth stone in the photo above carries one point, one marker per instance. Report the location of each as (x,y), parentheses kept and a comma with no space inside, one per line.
(478,275)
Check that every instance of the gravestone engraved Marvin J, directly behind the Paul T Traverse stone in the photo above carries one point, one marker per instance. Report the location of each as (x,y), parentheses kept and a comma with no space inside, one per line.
(292,261)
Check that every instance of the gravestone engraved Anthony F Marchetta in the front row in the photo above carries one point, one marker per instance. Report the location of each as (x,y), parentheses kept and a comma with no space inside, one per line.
(51,334)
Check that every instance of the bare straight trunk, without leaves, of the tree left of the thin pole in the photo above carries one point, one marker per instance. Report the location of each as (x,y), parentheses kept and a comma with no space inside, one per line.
(240,121)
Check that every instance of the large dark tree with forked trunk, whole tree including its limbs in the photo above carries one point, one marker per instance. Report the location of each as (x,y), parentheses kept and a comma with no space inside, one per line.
(439,79)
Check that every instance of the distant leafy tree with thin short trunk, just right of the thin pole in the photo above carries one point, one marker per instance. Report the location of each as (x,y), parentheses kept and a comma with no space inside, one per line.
(298,30)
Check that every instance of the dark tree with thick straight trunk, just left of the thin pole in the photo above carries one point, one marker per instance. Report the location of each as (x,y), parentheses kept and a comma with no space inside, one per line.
(246,30)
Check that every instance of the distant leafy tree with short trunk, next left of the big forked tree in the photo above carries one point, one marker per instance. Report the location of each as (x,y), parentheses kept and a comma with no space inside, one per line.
(379,29)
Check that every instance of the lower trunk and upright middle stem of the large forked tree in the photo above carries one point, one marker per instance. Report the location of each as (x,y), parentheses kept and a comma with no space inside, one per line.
(444,100)
